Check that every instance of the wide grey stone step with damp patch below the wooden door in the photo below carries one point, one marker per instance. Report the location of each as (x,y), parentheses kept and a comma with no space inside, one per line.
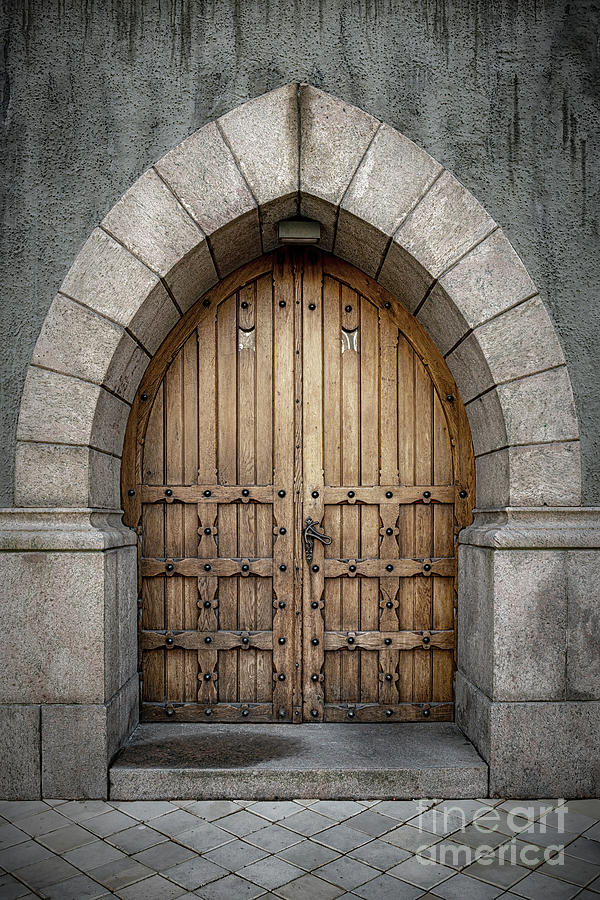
(323,761)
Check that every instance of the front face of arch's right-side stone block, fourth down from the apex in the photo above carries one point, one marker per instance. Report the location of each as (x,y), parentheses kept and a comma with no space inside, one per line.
(490,279)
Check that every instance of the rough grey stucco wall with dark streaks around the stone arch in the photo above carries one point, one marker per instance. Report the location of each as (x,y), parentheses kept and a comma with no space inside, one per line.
(505,95)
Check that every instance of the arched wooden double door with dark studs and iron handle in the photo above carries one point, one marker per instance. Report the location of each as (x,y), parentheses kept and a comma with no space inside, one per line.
(297,390)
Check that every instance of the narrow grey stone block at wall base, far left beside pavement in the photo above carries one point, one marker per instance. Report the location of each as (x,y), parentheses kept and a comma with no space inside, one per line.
(20,752)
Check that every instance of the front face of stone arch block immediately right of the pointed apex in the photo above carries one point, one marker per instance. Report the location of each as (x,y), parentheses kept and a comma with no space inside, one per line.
(333,140)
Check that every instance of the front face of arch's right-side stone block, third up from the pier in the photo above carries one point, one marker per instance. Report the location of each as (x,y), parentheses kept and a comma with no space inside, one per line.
(521,341)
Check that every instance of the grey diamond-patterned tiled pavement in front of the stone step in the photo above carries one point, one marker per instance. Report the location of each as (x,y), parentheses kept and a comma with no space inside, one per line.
(301,850)
